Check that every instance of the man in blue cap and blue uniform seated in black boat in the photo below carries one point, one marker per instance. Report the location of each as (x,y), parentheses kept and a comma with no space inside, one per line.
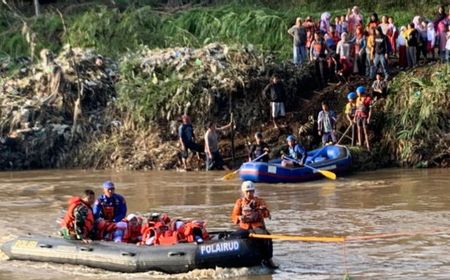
(110,206)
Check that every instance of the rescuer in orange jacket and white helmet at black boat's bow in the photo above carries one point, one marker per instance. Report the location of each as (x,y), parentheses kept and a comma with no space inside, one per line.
(249,212)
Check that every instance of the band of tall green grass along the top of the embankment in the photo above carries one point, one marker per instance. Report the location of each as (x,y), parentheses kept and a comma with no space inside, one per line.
(113,32)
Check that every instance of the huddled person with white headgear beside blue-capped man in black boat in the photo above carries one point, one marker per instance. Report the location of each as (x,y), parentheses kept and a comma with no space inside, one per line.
(128,230)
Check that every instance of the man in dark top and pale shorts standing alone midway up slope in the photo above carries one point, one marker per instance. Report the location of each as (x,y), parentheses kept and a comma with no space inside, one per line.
(276,93)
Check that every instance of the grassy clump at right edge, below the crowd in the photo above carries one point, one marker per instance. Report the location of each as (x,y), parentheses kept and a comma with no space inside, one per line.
(417,114)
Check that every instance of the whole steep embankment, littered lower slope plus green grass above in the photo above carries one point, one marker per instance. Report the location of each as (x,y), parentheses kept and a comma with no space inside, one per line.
(72,113)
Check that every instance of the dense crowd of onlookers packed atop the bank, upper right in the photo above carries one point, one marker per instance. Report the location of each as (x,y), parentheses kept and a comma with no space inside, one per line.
(349,44)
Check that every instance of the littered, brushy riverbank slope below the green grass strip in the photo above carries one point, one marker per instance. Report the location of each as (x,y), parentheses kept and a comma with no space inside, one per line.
(68,111)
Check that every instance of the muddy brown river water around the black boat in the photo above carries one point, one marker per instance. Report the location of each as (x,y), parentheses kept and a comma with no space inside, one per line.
(415,203)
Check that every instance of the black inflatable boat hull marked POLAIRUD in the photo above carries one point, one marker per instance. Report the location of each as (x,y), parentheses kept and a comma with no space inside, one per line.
(221,251)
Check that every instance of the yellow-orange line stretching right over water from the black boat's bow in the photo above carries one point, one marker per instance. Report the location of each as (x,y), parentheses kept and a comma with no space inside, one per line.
(339,239)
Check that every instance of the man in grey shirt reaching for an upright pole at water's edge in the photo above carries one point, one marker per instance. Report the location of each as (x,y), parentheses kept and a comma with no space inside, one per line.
(214,159)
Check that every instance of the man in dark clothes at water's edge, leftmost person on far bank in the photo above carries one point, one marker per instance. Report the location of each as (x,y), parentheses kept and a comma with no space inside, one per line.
(187,140)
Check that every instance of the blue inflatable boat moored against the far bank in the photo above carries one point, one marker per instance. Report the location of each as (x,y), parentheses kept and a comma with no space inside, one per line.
(334,158)
